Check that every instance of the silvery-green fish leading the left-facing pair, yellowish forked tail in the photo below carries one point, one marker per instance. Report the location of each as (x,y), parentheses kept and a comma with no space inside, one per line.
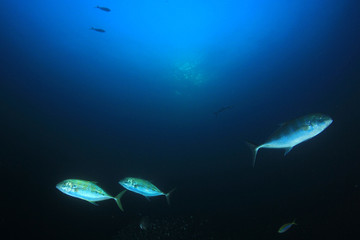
(88,191)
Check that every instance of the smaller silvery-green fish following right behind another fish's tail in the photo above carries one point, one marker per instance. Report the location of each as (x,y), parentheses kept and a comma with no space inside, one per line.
(143,187)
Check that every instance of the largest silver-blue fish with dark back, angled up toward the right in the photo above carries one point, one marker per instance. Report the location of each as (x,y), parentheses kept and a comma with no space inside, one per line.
(294,132)
